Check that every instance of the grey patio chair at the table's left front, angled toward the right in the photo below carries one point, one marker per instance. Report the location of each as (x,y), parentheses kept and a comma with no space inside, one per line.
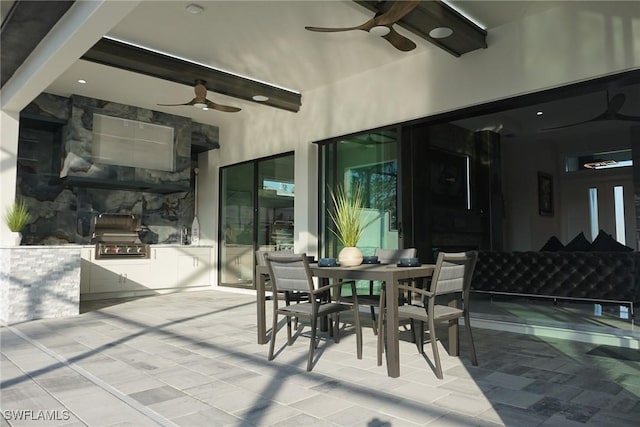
(292,274)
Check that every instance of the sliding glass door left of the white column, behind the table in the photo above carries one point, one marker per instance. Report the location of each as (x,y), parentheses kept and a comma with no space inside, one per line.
(256,212)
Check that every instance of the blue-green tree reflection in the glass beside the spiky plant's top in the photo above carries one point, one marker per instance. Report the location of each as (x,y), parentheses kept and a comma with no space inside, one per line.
(380,184)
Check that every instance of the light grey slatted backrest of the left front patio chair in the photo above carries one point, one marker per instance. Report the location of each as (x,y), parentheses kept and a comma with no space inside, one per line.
(289,272)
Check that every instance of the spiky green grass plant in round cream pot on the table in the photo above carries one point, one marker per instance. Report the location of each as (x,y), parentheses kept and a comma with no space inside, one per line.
(348,224)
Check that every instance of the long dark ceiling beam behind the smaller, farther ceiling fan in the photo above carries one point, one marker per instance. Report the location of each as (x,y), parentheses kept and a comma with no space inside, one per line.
(140,60)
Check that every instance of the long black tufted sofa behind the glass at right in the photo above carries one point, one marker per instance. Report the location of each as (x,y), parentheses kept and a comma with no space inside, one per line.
(588,276)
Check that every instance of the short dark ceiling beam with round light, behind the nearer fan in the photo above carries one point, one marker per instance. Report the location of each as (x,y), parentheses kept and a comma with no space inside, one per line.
(466,35)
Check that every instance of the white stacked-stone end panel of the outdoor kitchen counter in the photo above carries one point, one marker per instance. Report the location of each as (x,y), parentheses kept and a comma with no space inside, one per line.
(39,282)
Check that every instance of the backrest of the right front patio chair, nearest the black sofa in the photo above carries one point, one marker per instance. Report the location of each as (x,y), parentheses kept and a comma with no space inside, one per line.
(453,272)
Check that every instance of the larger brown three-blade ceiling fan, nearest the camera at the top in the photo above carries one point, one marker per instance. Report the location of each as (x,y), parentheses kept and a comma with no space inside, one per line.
(382,25)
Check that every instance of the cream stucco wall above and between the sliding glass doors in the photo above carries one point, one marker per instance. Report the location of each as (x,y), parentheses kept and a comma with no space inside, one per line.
(575,42)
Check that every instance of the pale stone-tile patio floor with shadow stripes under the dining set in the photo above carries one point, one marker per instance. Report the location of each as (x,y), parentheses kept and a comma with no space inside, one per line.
(191,359)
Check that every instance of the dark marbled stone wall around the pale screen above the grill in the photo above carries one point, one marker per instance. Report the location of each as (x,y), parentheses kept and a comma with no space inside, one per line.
(63,211)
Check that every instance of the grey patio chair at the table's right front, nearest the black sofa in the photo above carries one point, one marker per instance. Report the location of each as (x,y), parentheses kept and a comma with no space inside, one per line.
(452,276)
